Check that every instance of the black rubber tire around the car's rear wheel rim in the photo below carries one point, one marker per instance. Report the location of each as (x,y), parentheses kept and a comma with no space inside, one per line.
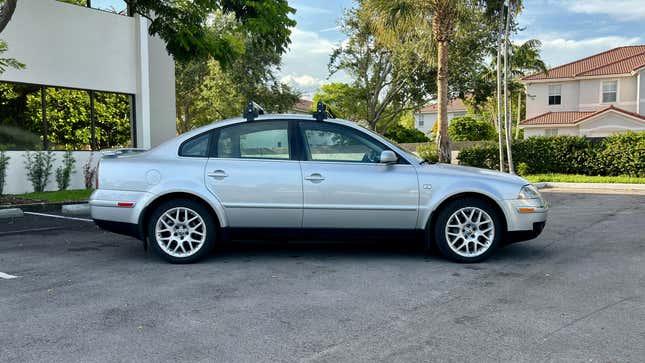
(209,222)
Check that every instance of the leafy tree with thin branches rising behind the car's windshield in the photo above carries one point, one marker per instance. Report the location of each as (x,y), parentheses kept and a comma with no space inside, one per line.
(387,81)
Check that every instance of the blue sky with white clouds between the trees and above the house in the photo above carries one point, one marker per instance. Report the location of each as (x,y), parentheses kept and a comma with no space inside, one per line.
(568,30)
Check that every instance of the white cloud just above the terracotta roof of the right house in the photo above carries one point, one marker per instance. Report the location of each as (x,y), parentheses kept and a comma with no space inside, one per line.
(559,50)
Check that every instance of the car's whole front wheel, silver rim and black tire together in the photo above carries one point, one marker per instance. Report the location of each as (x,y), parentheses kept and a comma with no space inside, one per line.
(468,230)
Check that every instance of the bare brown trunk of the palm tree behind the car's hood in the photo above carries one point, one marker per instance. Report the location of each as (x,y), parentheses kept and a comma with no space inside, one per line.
(443,142)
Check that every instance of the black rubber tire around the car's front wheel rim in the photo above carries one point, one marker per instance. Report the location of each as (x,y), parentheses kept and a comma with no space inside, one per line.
(439,229)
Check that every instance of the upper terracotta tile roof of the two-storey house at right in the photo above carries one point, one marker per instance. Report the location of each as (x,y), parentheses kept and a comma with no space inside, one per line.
(619,60)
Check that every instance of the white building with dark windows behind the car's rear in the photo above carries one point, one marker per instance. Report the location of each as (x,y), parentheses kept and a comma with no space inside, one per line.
(66,46)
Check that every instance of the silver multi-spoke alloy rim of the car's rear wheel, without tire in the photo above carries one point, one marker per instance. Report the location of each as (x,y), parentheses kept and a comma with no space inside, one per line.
(180,232)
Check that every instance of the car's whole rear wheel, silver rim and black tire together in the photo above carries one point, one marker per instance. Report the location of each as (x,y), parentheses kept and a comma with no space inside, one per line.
(181,230)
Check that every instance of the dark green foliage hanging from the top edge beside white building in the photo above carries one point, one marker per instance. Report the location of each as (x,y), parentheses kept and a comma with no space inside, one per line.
(185,26)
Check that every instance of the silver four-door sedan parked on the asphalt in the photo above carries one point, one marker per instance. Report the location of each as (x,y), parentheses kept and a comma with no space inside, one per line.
(303,177)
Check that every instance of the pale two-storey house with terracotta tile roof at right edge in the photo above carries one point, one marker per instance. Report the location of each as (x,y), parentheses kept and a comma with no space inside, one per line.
(596,96)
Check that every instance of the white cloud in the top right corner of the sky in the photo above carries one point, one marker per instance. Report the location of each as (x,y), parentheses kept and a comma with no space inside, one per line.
(621,10)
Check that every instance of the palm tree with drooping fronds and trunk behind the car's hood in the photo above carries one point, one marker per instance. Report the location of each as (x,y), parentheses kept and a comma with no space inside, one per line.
(396,17)
